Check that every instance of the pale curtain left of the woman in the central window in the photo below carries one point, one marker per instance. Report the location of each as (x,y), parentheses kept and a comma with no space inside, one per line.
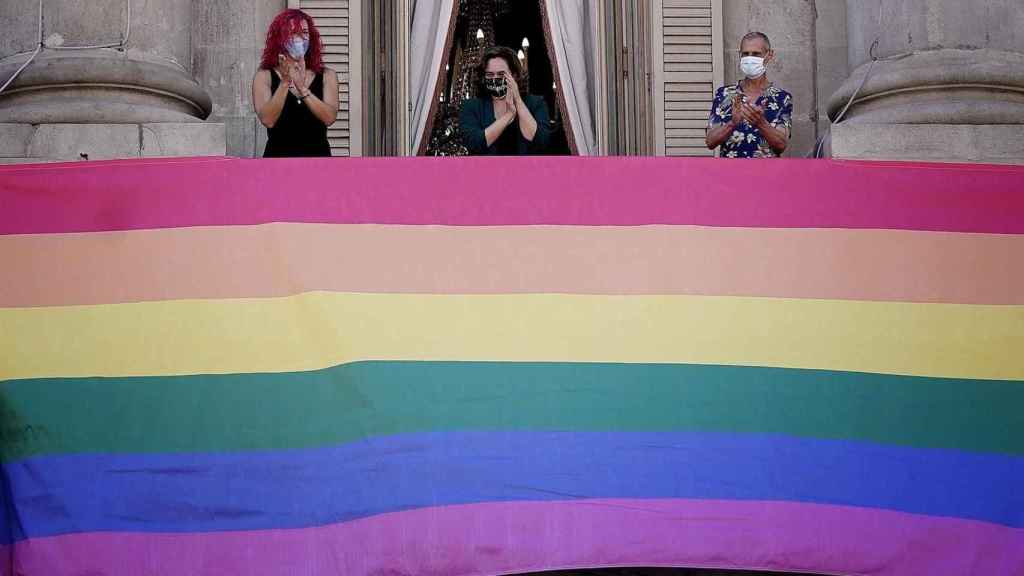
(430,32)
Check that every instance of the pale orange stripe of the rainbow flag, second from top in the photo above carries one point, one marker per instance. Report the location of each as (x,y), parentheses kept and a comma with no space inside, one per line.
(289,259)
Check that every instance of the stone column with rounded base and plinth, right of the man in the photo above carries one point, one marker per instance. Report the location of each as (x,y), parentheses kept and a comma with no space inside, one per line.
(949,85)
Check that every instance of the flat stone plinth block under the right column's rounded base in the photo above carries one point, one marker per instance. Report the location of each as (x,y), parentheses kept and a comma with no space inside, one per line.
(930,143)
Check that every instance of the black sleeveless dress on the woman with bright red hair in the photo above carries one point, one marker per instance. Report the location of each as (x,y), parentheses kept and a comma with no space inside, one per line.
(297,134)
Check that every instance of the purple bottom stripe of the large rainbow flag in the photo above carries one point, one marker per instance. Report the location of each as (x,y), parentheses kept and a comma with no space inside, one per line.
(503,539)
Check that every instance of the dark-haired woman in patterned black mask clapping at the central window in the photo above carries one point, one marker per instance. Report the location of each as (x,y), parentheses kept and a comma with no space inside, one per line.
(501,121)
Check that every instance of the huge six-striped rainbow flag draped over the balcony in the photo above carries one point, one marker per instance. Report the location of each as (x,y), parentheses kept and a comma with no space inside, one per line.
(484,367)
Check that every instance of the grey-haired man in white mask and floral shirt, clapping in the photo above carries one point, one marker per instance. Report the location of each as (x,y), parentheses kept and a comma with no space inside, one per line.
(754,118)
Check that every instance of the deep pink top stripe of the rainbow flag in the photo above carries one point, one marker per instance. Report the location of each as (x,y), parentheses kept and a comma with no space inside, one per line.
(518,191)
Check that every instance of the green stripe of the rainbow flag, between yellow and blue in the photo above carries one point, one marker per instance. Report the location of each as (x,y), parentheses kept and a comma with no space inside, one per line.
(327,407)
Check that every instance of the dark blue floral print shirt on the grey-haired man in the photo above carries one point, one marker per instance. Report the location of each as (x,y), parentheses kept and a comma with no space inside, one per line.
(747,141)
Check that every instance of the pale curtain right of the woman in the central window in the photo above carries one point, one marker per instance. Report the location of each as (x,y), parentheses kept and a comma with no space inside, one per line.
(574,35)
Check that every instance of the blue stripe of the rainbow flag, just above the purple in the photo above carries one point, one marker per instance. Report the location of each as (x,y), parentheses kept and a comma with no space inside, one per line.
(303,488)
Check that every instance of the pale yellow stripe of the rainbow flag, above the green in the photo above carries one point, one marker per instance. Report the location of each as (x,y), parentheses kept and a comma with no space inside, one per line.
(322,330)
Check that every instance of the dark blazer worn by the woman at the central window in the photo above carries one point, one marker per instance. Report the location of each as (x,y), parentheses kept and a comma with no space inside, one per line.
(478,114)
